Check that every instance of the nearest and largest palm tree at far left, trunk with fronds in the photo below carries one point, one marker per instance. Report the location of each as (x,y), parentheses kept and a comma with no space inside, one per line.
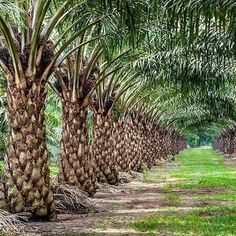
(28,56)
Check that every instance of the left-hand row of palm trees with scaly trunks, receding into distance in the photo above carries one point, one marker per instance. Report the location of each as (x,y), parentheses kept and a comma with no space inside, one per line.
(44,45)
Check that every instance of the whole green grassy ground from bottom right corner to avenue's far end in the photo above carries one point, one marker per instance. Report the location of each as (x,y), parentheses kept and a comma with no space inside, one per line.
(199,169)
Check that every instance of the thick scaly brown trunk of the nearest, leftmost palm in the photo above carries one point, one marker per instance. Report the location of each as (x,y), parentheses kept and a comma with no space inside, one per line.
(27,180)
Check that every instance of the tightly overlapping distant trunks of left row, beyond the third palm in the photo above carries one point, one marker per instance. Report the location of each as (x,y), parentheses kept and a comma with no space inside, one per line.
(140,144)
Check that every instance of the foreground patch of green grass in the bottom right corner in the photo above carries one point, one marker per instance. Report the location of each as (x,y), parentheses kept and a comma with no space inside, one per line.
(207,222)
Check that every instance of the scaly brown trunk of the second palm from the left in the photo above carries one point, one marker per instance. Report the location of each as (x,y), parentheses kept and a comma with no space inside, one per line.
(77,167)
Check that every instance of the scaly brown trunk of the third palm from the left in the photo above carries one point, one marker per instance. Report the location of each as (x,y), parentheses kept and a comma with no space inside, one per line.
(102,149)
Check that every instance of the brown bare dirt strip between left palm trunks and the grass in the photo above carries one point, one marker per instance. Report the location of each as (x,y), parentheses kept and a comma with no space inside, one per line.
(120,205)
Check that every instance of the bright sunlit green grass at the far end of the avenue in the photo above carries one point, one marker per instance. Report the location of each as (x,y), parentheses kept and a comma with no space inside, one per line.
(203,169)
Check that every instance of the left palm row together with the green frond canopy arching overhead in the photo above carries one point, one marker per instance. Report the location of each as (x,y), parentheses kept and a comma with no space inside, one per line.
(82,50)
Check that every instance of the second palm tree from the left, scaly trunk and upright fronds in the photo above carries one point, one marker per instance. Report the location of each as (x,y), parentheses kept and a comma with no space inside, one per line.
(77,78)
